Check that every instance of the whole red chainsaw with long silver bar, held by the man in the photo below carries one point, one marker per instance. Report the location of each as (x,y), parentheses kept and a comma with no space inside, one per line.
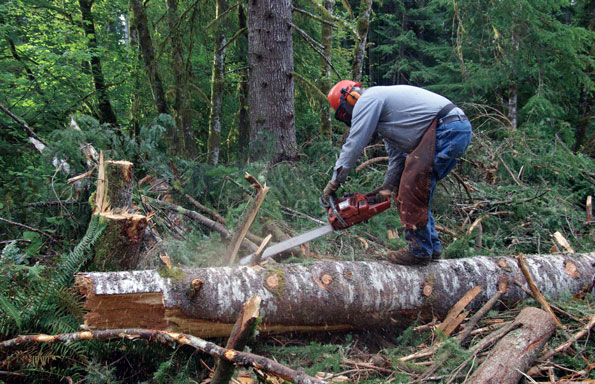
(343,213)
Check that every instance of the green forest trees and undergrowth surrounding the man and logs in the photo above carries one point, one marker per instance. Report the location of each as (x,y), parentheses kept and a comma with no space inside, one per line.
(166,85)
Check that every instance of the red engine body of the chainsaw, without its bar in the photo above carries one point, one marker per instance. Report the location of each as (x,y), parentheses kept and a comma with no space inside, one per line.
(356,208)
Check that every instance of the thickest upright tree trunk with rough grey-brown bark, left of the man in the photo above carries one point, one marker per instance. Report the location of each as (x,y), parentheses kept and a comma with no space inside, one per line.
(272,113)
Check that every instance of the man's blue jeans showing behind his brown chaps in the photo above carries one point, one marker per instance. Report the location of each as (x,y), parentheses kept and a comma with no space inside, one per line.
(452,140)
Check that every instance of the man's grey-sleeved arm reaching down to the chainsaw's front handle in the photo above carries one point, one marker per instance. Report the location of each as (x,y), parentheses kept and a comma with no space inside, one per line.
(363,125)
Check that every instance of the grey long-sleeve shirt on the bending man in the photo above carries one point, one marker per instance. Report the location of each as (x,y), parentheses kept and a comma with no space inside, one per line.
(400,114)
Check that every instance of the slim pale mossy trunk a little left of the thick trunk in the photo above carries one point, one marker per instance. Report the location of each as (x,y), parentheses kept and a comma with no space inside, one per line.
(217,85)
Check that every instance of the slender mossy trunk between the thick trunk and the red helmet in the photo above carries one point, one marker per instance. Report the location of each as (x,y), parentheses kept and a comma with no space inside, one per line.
(325,75)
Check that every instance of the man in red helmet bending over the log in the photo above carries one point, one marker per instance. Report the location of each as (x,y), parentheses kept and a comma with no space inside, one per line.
(425,136)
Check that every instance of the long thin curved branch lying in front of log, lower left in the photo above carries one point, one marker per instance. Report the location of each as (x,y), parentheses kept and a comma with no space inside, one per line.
(242,359)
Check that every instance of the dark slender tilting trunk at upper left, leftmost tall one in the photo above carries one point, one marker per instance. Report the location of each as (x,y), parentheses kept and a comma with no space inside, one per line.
(106,113)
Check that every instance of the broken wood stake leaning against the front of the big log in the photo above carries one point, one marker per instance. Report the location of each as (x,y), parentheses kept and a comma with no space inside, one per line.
(243,330)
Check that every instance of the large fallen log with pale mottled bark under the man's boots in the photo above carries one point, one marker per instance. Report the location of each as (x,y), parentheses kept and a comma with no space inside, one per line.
(324,295)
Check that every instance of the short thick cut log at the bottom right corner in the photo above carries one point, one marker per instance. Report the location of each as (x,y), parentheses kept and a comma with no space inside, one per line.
(515,353)
